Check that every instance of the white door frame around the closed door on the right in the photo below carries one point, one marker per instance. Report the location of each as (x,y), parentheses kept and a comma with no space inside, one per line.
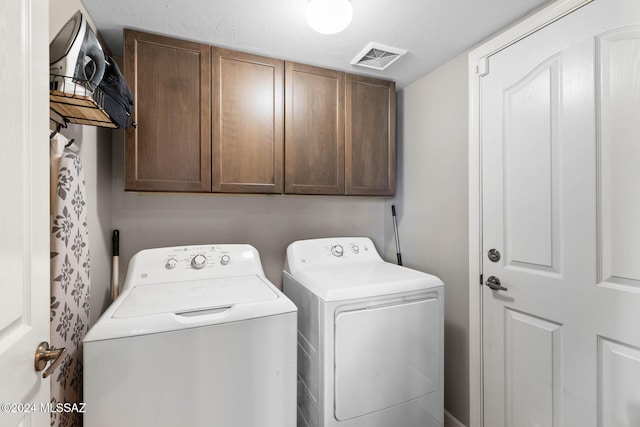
(478,63)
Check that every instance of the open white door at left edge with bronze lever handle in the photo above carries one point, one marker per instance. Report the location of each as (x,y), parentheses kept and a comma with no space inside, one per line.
(24,210)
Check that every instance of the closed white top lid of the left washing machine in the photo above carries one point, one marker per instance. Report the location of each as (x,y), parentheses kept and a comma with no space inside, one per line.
(195,295)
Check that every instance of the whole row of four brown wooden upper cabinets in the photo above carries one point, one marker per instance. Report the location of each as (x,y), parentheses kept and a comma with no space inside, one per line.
(215,120)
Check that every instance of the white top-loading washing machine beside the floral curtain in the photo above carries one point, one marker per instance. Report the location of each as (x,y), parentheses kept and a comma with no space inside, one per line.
(198,337)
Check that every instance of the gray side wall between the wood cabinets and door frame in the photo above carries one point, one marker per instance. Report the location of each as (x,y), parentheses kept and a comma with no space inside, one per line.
(432,206)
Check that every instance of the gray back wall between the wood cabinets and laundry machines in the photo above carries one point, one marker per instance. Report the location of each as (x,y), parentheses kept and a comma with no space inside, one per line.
(268,222)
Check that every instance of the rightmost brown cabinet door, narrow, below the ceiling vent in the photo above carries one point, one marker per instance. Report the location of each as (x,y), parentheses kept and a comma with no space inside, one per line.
(370,154)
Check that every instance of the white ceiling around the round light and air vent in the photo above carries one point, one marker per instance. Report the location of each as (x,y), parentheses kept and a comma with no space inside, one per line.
(433,31)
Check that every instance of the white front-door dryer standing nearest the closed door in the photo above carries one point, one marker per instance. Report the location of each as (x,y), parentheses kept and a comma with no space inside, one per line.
(370,337)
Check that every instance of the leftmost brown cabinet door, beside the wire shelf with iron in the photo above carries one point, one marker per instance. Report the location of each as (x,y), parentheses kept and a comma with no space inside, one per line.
(170,150)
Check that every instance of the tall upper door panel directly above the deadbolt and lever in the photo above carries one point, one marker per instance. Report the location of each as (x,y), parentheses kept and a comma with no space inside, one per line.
(530,155)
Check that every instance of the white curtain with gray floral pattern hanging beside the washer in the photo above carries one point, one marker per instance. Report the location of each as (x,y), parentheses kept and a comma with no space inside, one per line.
(69,276)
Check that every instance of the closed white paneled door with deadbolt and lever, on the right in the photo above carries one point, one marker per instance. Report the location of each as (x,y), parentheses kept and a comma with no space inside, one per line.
(560,134)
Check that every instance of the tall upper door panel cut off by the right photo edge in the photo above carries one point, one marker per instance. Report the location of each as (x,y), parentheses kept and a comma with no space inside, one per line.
(619,151)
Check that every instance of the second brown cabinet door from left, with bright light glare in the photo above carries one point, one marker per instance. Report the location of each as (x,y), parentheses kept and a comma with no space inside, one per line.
(248,123)
